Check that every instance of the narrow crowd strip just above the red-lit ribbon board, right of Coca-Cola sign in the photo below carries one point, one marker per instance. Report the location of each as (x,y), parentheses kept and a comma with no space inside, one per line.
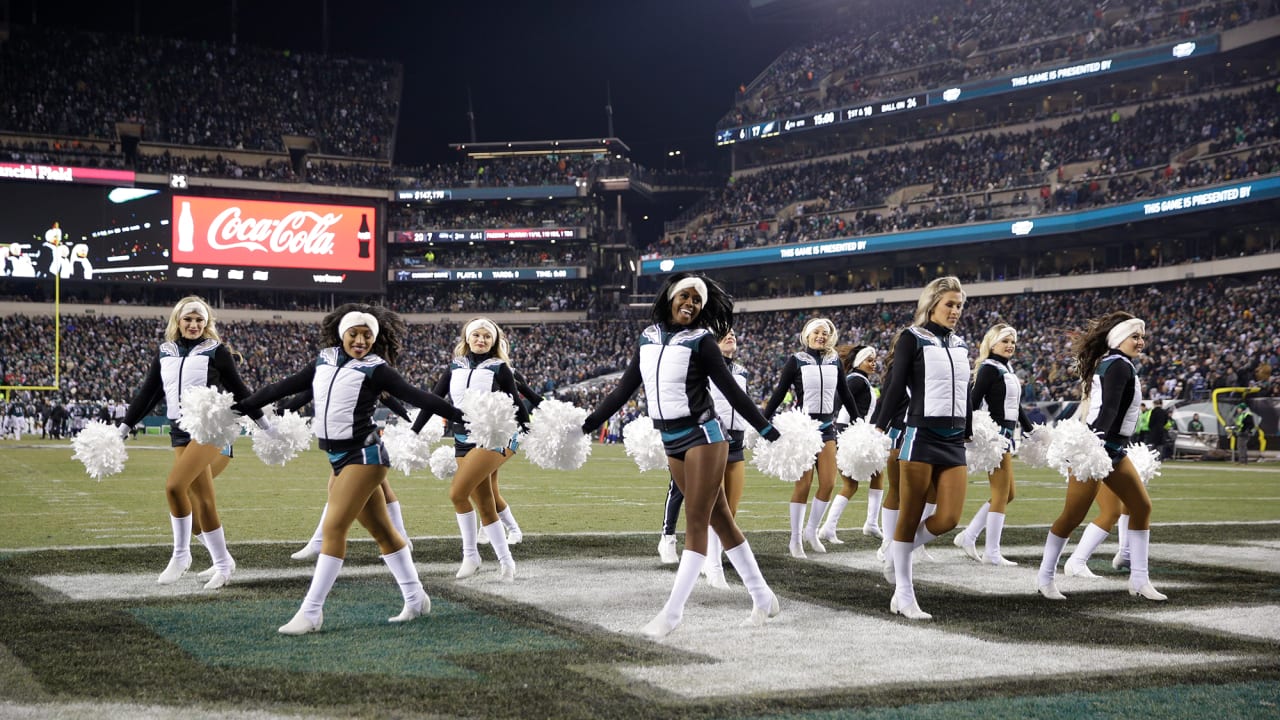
(484,216)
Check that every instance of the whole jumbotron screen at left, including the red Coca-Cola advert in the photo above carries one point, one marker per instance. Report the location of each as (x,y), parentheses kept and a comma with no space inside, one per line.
(139,235)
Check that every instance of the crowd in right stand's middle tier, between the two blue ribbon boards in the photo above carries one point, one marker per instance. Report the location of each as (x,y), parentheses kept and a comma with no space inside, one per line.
(1131,156)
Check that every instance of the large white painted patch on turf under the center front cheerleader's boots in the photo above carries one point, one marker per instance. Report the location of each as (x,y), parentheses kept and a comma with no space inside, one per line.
(852,650)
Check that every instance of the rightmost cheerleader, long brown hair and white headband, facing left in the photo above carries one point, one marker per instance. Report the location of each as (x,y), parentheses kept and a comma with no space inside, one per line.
(1110,399)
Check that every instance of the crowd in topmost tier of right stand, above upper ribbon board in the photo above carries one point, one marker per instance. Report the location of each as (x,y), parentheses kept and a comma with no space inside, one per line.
(883,49)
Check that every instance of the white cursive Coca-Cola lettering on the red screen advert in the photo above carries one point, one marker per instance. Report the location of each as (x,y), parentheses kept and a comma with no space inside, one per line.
(300,233)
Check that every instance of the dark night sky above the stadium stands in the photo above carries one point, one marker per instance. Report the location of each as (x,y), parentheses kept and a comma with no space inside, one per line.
(537,70)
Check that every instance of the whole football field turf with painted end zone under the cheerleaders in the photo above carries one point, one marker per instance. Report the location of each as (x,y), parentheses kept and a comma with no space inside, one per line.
(85,632)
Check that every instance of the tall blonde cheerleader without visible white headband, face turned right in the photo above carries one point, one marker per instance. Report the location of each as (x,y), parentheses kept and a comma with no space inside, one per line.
(932,364)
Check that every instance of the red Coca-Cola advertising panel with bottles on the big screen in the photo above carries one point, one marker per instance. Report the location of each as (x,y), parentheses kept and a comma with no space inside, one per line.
(225,231)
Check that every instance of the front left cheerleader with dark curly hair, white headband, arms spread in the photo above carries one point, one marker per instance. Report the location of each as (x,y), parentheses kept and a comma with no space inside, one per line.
(346,380)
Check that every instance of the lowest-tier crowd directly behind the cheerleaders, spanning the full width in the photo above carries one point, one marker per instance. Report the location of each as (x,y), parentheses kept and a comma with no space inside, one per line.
(1203,335)
